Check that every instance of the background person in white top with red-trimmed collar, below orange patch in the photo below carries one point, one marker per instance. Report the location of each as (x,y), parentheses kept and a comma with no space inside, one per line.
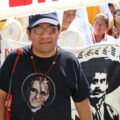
(100,27)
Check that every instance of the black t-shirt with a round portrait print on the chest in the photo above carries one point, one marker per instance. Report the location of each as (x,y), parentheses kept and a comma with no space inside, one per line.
(65,79)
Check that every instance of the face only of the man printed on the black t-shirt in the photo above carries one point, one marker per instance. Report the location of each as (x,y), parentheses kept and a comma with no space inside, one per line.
(38,94)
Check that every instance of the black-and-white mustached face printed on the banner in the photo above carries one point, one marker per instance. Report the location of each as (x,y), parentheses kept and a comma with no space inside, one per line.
(99,85)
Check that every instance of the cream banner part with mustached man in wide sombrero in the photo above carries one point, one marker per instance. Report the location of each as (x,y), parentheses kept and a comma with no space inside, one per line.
(101,67)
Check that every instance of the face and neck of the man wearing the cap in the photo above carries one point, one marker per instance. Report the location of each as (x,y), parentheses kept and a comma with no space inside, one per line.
(44,39)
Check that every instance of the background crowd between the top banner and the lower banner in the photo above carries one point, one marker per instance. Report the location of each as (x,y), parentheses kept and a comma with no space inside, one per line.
(78,28)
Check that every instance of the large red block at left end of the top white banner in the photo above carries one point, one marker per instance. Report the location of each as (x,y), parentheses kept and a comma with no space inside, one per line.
(15,3)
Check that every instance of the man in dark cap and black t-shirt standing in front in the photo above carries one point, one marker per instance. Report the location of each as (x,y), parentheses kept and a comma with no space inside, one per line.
(46,60)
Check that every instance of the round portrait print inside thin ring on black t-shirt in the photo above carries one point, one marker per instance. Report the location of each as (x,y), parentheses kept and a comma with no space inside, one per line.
(38,91)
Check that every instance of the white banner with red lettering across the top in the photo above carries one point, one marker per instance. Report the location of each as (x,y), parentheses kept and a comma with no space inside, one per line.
(21,8)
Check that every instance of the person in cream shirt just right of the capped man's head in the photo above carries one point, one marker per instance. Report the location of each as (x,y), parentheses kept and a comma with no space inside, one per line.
(70,36)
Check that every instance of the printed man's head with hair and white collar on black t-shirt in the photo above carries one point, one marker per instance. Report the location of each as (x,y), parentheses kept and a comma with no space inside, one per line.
(38,93)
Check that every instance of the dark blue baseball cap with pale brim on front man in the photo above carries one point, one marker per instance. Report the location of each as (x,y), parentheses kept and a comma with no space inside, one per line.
(50,18)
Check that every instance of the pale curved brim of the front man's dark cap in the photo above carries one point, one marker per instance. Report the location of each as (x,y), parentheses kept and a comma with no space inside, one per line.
(46,20)
